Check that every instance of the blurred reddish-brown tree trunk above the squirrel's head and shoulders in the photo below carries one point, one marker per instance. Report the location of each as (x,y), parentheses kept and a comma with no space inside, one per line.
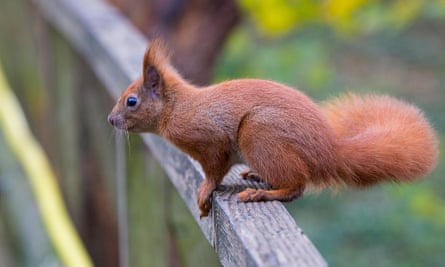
(195,30)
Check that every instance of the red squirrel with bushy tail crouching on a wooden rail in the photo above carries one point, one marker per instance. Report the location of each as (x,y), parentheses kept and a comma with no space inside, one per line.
(286,139)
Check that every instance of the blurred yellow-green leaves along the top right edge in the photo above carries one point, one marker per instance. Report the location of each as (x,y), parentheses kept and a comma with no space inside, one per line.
(278,17)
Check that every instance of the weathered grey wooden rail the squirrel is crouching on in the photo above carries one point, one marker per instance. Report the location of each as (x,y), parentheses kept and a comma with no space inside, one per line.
(243,234)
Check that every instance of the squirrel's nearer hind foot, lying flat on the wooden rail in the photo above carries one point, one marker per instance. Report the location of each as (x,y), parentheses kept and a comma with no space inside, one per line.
(286,194)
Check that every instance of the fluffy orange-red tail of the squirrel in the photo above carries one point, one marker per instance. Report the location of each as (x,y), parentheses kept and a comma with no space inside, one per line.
(382,139)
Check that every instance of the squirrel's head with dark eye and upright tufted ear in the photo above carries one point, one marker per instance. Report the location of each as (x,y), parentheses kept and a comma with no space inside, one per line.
(139,107)
